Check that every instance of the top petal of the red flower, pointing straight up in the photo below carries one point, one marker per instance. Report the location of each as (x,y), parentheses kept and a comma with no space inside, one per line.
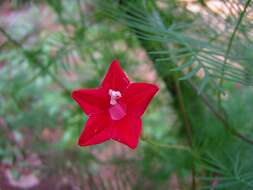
(115,79)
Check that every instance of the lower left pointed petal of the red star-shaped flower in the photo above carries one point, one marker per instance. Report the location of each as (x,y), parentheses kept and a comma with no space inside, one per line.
(96,131)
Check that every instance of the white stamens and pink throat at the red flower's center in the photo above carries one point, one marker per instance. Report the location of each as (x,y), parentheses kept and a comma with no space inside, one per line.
(117,110)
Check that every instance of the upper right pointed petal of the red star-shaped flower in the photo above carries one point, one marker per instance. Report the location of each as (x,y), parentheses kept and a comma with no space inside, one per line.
(138,96)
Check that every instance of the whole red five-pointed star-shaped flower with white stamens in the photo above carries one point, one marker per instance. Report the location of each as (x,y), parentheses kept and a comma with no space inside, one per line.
(114,109)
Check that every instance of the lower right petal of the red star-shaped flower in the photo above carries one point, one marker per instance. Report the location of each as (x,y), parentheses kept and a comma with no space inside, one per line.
(127,131)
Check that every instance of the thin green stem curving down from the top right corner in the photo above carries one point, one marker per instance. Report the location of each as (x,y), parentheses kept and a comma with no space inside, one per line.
(242,14)
